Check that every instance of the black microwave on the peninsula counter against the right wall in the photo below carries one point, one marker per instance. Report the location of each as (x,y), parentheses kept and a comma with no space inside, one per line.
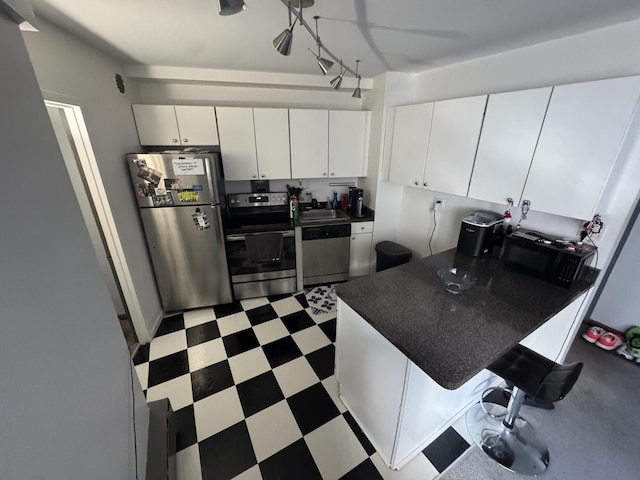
(538,254)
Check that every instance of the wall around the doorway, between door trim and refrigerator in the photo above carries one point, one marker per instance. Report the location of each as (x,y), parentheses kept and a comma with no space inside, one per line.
(68,68)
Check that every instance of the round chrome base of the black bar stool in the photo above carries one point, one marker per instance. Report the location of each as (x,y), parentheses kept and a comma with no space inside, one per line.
(519,449)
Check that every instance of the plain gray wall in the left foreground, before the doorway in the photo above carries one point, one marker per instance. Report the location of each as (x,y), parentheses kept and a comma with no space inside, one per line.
(65,399)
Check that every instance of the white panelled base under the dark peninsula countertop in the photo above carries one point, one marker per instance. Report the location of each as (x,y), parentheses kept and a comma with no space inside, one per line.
(398,406)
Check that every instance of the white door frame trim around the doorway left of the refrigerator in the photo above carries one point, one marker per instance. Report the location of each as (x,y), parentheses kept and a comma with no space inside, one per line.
(77,127)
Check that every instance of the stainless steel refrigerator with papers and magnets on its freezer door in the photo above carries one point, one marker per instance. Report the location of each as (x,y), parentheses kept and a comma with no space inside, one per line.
(181,200)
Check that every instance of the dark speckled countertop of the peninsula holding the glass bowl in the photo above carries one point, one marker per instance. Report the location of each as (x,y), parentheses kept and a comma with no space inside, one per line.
(453,337)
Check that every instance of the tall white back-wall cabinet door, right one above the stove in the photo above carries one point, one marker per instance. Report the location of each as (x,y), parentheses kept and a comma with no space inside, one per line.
(272,142)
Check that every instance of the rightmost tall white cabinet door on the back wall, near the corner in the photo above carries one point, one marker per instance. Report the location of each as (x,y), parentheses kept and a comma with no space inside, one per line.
(347,143)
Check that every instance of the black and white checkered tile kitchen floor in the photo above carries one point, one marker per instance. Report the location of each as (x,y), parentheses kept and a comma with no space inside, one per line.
(255,397)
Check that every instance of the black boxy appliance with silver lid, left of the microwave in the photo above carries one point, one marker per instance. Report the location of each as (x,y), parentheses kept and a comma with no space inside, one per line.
(479,232)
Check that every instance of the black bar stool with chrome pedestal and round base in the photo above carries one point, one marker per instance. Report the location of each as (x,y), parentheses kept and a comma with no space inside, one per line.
(500,432)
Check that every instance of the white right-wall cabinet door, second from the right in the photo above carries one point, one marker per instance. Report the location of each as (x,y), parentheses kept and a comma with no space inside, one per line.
(508,141)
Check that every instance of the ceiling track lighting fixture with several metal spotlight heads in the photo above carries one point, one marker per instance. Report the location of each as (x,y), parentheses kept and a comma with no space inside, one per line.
(284,41)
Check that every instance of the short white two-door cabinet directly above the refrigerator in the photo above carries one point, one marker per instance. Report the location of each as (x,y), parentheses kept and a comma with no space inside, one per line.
(176,125)
